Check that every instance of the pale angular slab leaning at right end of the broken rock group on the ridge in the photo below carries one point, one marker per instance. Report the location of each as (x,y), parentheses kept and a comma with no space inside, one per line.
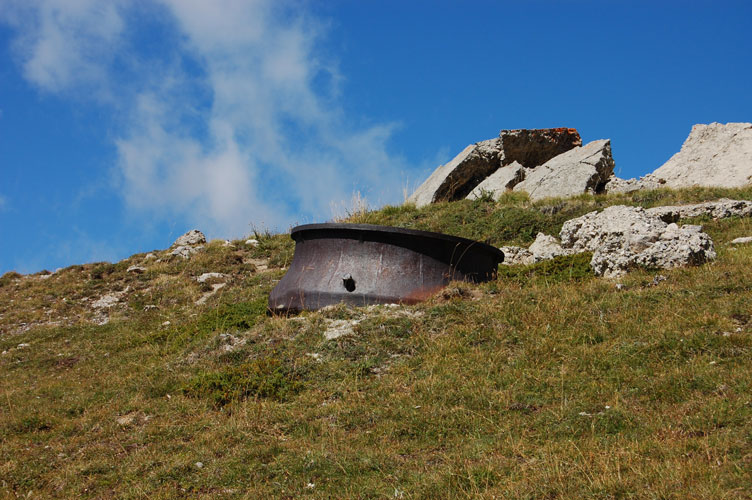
(580,170)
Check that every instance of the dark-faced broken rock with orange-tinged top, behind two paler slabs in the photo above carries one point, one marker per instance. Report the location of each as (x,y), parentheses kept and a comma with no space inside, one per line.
(529,148)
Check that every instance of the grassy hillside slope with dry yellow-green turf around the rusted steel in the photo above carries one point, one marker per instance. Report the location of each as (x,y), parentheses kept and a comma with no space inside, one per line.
(548,383)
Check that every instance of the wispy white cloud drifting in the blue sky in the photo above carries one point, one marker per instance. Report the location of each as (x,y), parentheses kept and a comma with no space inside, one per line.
(239,124)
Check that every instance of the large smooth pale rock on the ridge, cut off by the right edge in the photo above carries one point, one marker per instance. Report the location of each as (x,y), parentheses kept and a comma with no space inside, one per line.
(713,155)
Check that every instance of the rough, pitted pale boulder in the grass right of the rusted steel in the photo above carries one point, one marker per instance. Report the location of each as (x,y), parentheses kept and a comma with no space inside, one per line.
(622,237)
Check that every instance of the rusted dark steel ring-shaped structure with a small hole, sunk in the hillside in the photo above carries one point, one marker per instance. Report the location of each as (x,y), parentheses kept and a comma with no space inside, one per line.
(362,264)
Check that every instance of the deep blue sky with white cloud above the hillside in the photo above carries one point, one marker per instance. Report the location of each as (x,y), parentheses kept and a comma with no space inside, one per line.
(125,123)
